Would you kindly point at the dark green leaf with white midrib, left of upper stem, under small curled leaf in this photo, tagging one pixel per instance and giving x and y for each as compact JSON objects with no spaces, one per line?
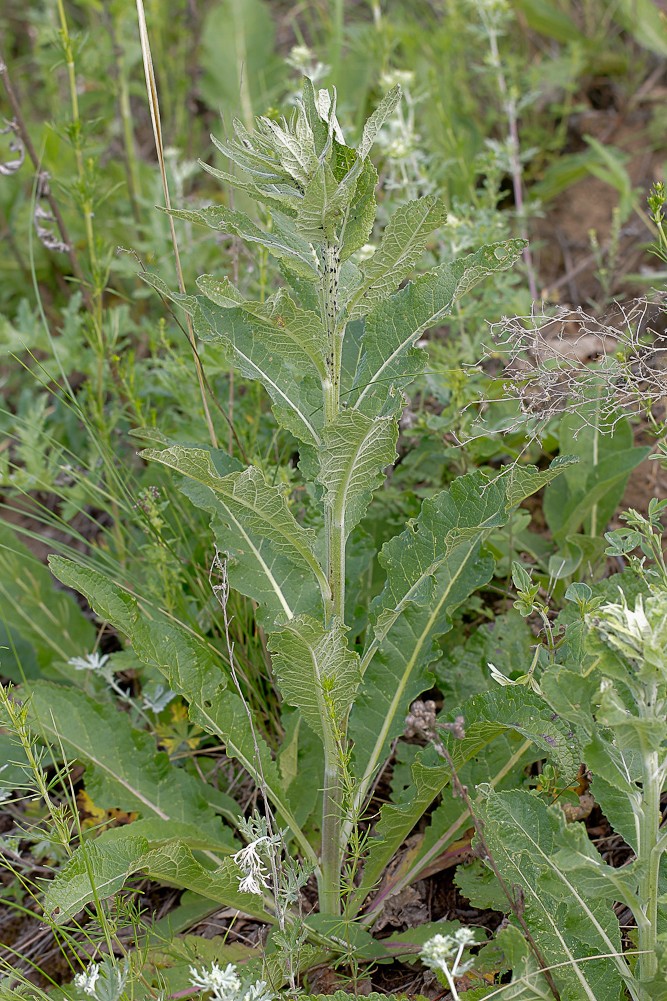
{"x":272,"y":363}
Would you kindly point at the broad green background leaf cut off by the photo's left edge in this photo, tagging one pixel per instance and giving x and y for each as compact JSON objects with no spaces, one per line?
{"x":49,"y":619}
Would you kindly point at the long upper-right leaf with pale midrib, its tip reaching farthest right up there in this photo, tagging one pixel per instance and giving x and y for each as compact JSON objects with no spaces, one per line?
{"x":394,"y":327}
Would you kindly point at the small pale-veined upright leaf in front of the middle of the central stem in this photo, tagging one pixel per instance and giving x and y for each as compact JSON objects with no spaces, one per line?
{"x":356,"y":452}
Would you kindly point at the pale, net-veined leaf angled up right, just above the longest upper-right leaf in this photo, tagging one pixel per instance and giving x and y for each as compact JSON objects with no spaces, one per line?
{"x":401,"y":248}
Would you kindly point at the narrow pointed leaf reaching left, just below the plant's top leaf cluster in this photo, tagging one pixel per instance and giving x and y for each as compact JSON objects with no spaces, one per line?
{"x":282,"y":243}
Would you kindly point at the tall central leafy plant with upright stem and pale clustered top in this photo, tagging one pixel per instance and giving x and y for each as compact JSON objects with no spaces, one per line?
{"x":335,"y":349}
